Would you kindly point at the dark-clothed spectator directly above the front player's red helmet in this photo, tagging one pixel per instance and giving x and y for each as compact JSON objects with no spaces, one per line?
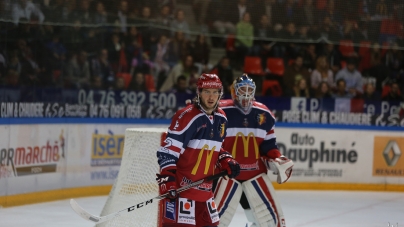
{"x":200,"y":51}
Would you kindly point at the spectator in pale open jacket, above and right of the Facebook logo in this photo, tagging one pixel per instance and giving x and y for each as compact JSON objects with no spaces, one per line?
{"x":322,"y":73}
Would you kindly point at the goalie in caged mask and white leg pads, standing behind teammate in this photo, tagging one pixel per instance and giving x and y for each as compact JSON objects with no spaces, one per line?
{"x":251,"y":141}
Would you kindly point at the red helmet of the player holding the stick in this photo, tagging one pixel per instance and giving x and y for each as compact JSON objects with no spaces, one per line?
{"x":208,"y":81}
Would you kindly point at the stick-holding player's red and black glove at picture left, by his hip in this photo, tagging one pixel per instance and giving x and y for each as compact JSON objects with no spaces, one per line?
{"x":167,"y":184}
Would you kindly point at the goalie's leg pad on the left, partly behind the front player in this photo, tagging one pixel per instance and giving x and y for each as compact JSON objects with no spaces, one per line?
{"x":227,"y":196}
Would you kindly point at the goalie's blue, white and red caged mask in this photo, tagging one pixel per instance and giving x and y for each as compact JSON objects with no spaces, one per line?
{"x":242,"y":92}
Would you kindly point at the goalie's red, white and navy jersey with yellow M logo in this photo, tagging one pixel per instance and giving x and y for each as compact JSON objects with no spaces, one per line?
{"x":250,"y":136}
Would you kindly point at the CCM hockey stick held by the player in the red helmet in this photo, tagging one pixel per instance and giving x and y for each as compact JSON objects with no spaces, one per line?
{"x":84,"y":214}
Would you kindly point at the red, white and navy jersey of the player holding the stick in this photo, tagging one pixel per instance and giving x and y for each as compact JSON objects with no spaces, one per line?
{"x":192,"y":146}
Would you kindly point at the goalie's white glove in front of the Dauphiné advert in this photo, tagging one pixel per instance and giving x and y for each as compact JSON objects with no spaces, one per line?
{"x":281,"y":166}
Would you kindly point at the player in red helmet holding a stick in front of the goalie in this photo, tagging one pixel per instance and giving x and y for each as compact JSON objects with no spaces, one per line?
{"x":191,"y":151}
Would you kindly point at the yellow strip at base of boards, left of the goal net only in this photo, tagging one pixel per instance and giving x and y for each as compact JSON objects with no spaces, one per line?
{"x":52,"y":195}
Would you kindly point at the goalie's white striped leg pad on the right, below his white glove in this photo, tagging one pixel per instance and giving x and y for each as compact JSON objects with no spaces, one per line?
{"x":263,"y":202}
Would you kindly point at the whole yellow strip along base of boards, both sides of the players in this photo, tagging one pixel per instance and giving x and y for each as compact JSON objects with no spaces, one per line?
{"x":52,"y":195}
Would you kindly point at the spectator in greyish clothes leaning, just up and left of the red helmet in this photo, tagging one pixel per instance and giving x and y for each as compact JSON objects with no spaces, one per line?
{"x":186,"y":68}
